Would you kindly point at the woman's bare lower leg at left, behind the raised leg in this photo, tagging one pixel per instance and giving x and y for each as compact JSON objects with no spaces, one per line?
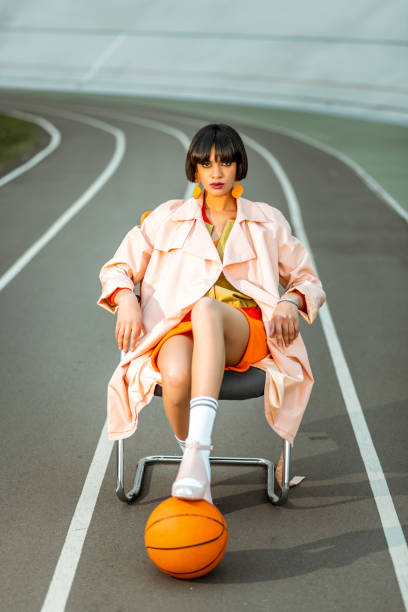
{"x":174,"y":362}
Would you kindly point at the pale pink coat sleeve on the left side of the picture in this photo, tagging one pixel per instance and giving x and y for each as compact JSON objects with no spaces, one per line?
{"x":128,"y":265}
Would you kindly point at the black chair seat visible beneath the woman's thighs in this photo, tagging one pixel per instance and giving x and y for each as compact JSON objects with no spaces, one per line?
{"x":238,"y":385}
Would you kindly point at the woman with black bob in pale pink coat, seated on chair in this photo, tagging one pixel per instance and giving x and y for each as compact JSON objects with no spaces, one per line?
{"x":195,"y":258}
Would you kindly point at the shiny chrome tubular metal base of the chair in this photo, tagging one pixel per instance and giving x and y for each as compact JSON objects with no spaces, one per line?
{"x":274,"y":493}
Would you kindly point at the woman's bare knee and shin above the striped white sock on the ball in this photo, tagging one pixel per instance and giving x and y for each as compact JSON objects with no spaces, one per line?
{"x":221,"y":335}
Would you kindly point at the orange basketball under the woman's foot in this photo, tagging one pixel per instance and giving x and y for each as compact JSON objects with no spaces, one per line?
{"x":186,"y":539}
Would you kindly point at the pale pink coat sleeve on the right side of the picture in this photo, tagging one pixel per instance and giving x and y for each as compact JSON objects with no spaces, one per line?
{"x":296,"y":271}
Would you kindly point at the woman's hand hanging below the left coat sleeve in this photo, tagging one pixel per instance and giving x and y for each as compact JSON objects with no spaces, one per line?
{"x":129,"y":320}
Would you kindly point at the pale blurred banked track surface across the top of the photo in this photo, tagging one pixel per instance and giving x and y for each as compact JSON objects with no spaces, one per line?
{"x":349,"y":57}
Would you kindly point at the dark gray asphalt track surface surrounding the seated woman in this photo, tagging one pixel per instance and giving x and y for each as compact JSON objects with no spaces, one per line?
{"x":325,"y":549}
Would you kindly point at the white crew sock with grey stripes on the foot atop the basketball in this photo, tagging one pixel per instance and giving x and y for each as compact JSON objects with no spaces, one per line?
{"x":203,"y":410}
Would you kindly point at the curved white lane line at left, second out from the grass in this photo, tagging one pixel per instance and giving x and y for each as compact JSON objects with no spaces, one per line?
{"x":120,"y":147}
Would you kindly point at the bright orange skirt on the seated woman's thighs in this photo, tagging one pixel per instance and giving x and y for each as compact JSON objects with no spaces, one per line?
{"x":256,"y":349}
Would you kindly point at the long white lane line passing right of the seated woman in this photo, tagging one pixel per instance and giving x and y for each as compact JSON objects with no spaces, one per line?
{"x":394,"y":535}
